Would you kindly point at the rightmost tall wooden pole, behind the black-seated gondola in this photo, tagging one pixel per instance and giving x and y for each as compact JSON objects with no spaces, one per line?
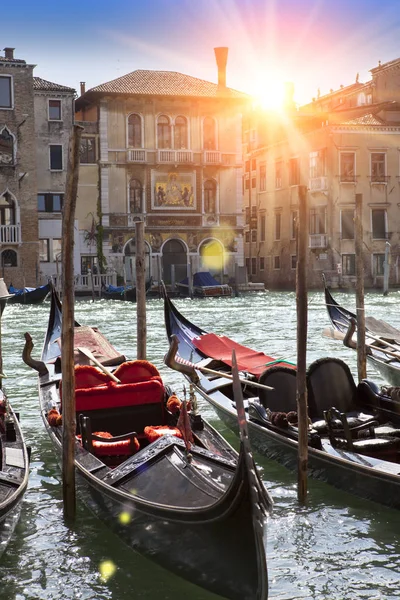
{"x":360,"y":313}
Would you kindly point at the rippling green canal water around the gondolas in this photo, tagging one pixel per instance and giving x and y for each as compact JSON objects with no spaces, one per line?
{"x":338,"y":547}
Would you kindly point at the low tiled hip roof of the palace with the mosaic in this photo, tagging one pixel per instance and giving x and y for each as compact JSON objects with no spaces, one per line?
{"x":164,"y":83}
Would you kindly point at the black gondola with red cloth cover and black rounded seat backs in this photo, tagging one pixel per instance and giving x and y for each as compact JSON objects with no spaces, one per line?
{"x":354,"y":430}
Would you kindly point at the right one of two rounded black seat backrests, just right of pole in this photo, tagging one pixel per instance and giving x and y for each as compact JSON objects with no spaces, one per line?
{"x":330,"y":384}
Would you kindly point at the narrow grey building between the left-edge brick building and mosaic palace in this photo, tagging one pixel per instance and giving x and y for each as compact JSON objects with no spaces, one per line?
{"x":54,"y":117}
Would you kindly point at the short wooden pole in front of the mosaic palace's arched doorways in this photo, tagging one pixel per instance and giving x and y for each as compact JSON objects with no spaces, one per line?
{"x":140,"y":291}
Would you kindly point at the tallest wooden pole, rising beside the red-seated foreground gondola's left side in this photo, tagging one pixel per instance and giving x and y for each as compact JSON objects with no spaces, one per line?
{"x":67,"y":330}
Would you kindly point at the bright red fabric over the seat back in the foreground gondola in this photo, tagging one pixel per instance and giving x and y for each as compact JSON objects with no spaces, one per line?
{"x":115,"y":395}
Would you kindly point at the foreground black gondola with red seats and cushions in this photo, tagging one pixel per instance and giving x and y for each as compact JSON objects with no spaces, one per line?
{"x":195,"y":506}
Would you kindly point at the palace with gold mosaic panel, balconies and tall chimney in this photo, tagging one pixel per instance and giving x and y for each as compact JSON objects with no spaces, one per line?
{"x":165,"y":148}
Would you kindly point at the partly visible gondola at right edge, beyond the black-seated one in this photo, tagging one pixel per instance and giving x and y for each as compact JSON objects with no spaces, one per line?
{"x":381,"y":339}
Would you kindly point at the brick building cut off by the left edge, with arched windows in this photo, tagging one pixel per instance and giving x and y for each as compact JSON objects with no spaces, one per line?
{"x":19,"y":247}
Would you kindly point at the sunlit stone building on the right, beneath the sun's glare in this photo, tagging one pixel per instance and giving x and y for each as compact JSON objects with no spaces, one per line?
{"x":342,"y":144}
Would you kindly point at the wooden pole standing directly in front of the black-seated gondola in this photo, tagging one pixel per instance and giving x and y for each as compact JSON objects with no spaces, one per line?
{"x":301,"y":383}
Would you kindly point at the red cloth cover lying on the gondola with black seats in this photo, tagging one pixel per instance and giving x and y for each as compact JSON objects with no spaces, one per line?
{"x":220,"y":348}
